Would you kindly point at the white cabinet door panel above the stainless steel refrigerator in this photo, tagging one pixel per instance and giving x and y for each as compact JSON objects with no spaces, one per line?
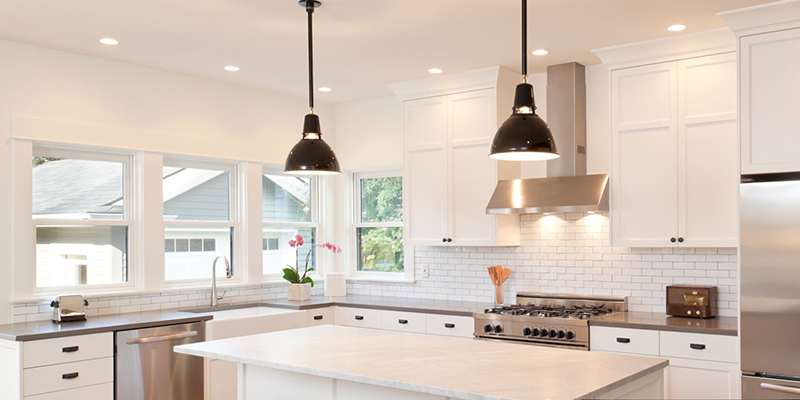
{"x":770,"y":129}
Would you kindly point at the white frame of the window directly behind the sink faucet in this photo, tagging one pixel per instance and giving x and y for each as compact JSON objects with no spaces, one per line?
{"x":234,"y":215}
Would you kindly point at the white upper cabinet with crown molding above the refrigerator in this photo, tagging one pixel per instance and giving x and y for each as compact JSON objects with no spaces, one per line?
{"x":769,"y":60}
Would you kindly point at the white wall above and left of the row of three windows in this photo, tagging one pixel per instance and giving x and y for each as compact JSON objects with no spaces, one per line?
{"x":154,"y":110}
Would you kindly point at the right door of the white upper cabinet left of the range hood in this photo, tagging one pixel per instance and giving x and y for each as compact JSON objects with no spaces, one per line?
{"x":473,"y":176}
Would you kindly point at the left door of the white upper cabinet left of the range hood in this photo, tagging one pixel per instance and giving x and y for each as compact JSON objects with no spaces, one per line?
{"x":425,"y":172}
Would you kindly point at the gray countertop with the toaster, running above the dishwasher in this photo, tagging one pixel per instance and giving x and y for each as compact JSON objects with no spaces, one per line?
{"x":109,"y":323}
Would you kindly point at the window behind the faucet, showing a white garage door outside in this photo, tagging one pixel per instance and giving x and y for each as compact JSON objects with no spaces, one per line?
{"x":199,"y":218}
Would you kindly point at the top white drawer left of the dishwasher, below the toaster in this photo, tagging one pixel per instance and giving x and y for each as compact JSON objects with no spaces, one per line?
{"x":67,"y":349}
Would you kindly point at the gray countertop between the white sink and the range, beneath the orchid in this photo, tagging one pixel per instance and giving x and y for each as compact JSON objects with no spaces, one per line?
{"x":384,"y":303}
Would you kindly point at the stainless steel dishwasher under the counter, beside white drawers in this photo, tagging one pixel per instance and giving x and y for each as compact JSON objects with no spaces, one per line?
{"x":146,"y":367}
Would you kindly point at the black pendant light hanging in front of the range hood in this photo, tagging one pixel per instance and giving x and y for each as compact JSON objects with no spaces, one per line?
{"x":524,"y":136}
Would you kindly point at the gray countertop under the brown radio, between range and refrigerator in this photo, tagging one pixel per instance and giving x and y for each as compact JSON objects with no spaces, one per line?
{"x":663,"y":322}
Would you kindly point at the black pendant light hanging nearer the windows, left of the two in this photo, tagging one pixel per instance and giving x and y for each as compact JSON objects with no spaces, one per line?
{"x":311,"y":155}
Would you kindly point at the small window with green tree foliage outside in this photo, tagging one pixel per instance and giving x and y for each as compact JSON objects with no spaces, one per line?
{"x":379,"y":222}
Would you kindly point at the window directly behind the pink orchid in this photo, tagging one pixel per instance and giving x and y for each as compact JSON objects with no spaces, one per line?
{"x":288,"y":207}
